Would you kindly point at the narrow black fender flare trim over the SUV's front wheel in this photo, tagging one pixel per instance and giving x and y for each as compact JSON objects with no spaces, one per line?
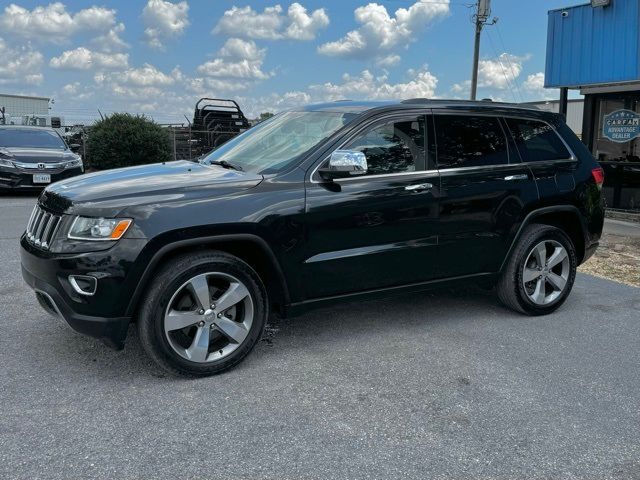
{"x":204,"y":241}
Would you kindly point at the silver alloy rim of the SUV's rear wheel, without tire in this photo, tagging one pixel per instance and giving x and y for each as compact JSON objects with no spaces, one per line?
{"x":546,"y":272}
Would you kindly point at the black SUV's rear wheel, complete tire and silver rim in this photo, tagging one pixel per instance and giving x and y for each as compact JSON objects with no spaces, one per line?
{"x":540,"y":272}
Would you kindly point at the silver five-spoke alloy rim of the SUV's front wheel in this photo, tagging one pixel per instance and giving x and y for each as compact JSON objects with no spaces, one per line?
{"x":208,"y":317}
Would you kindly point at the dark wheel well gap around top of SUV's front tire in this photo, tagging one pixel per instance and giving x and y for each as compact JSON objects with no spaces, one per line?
{"x":253,"y":252}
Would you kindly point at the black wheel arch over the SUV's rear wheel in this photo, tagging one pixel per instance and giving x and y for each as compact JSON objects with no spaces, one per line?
{"x":564,"y":217}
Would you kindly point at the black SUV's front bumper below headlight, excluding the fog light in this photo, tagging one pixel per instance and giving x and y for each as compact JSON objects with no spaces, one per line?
{"x":103,"y":315}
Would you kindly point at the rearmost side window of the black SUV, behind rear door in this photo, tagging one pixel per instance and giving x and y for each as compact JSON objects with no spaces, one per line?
{"x":536,"y":141}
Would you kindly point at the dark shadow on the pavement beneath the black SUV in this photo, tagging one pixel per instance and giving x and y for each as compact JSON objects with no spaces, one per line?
{"x":354,"y":323}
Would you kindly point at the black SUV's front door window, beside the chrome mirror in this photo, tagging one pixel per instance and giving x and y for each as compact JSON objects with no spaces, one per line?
{"x":394,"y":147}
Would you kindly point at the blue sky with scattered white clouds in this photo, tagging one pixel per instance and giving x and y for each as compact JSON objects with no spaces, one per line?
{"x":158,"y":57}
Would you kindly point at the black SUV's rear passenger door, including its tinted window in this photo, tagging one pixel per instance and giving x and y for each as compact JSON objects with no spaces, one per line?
{"x":484,"y":191}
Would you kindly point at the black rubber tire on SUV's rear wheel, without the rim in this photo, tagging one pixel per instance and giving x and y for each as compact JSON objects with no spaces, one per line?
{"x":510,"y":286}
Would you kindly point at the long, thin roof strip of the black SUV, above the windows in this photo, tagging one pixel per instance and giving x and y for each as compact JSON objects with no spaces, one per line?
{"x":350,"y":106}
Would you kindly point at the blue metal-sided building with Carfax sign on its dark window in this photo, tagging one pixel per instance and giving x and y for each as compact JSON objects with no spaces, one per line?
{"x":595,"y":48}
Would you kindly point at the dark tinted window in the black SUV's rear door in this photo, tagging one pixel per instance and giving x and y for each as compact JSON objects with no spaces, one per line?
{"x":468,"y":141}
